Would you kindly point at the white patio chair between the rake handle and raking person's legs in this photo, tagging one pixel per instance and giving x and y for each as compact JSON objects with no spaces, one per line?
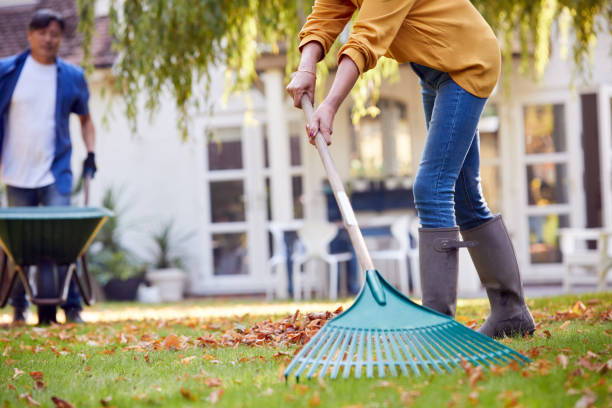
{"x":403,"y":253}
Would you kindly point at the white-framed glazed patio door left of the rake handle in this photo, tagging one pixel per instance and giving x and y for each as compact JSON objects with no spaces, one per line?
{"x":236,"y":245}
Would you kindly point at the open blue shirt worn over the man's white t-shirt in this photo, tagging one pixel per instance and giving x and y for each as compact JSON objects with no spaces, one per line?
{"x":72,"y":97}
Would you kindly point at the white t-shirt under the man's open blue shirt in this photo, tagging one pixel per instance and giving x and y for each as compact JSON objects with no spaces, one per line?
{"x":29,"y":142}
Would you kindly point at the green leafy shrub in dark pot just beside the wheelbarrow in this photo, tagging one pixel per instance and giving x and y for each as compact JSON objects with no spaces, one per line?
{"x":109,"y":258}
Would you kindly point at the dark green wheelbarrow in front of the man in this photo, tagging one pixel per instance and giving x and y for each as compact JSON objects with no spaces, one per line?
{"x":57,"y":236}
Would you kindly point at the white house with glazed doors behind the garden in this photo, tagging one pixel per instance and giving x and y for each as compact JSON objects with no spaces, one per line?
{"x":546,"y":162}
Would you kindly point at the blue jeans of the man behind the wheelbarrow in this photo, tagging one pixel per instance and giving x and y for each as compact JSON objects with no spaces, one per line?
{"x":33,"y":197}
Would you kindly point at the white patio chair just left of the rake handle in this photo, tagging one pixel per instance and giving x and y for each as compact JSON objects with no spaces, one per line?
{"x":314,"y":239}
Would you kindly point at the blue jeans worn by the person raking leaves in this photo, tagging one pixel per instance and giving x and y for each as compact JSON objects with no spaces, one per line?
{"x":447,"y":190}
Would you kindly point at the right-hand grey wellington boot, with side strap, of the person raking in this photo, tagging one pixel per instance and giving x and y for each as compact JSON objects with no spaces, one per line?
{"x":498,"y":270}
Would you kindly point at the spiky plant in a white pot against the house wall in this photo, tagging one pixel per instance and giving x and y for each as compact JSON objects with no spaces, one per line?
{"x":166,"y":271}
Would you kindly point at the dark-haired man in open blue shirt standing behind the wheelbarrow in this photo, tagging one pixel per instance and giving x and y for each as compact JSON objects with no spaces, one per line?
{"x":38,"y":92}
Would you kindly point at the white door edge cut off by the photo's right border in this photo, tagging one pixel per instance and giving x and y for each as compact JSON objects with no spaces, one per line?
{"x":605,"y":146}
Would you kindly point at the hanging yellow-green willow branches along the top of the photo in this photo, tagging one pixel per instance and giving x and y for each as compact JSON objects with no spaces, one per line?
{"x":168,"y":47}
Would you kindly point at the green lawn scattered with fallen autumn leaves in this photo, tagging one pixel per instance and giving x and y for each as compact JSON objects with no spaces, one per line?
{"x":196,"y":354}
